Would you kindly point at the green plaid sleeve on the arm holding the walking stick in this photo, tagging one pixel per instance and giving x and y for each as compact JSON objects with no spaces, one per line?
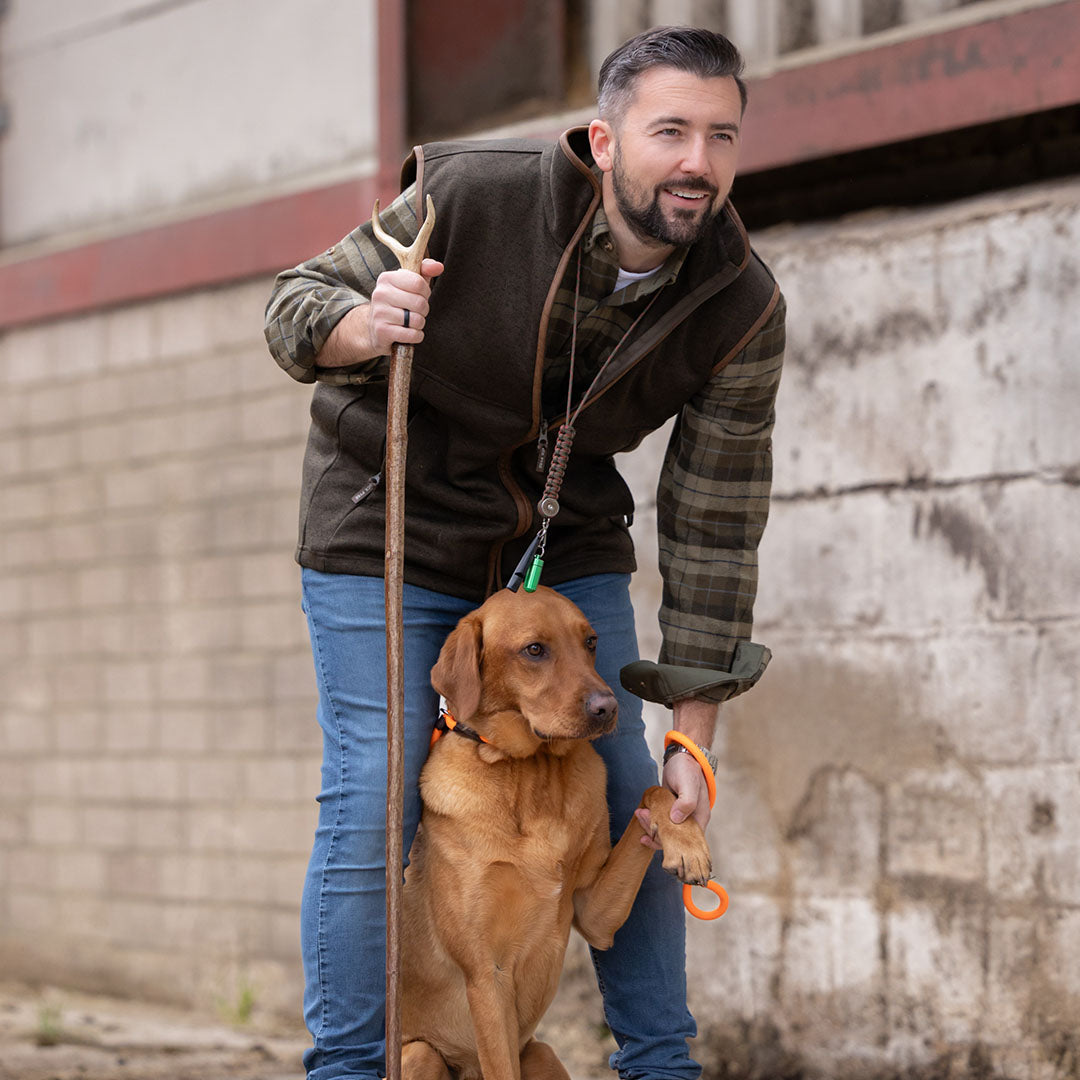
{"x":308,"y":302}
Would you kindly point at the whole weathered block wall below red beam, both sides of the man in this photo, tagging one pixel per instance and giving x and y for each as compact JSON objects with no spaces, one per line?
{"x":897,"y":798}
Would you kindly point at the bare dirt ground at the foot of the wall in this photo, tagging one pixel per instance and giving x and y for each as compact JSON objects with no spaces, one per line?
{"x":53,"y":1034}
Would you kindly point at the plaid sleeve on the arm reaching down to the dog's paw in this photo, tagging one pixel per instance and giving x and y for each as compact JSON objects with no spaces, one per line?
{"x":712,"y":506}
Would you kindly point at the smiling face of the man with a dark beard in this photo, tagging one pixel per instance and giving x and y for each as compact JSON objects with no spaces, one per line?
{"x":674,"y":155}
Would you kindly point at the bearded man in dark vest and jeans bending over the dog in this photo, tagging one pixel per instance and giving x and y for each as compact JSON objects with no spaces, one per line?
{"x":605,"y":277}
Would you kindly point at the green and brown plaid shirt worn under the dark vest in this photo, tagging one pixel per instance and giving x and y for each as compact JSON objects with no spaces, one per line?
{"x":713,"y":496}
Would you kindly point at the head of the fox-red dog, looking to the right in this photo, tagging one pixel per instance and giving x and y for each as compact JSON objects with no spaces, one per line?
{"x":522,"y":670}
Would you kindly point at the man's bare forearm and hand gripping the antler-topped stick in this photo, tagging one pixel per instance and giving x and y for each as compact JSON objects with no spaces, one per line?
{"x":370,"y":331}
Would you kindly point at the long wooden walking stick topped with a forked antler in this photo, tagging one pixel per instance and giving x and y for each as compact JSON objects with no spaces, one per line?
{"x":401,"y":370}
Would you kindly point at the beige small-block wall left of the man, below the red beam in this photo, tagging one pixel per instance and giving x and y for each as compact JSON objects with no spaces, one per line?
{"x":158,"y":753}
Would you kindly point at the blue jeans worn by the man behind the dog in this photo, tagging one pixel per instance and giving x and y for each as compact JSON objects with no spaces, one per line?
{"x":642,"y":977}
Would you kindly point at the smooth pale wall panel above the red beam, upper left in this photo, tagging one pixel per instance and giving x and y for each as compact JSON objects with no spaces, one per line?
{"x":153,"y":106}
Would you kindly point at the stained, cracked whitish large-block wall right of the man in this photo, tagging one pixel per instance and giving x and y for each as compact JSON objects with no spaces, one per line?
{"x":899,"y":796}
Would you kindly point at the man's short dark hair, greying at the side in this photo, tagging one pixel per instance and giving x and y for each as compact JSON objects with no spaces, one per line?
{"x":696,"y":51}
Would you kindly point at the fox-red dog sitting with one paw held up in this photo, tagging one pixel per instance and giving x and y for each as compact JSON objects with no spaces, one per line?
{"x":514,"y":846}
